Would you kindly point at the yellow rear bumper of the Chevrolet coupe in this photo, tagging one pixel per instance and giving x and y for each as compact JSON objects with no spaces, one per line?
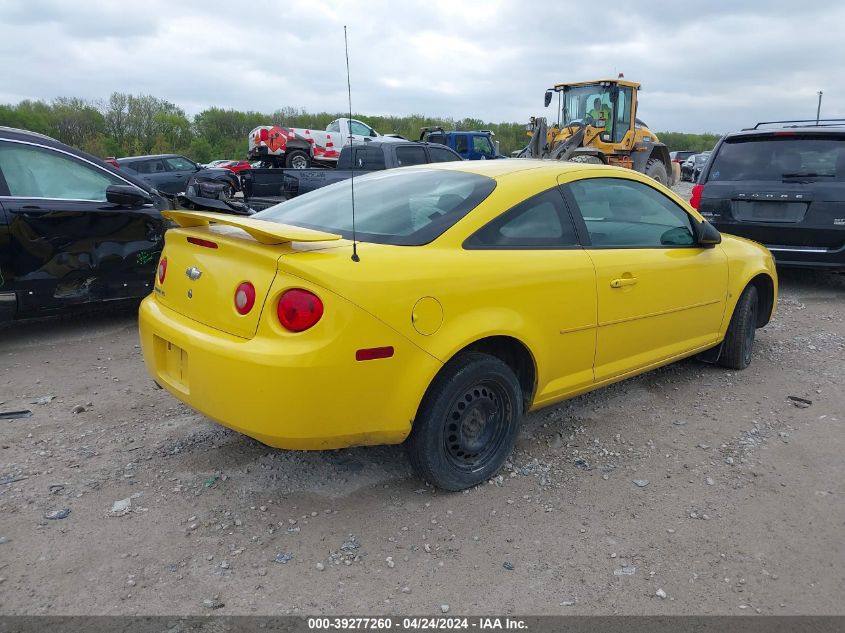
{"x":295,"y":393}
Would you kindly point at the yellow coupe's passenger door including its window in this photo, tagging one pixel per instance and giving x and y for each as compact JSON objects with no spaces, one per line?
{"x":660,"y":295}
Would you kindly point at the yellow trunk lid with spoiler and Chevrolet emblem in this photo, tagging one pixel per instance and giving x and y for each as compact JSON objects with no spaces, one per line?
{"x":210,"y":256}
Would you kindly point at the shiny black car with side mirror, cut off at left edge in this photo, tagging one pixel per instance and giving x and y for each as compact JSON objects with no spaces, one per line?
{"x":73,"y":229}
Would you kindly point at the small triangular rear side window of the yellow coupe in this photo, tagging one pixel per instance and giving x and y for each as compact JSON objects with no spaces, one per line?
{"x":541,"y":222}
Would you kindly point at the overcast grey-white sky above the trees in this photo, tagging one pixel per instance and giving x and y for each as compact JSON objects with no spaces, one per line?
{"x":704,"y":66}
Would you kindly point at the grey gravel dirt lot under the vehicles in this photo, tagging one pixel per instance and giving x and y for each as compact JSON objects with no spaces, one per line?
{"x":743,"y":511}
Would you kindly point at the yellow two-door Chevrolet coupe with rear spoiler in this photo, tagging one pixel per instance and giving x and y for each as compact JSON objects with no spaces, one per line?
{"x":479,"y":291}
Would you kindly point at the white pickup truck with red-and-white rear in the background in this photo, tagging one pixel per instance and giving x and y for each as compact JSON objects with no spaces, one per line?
{"x":298,"y":148}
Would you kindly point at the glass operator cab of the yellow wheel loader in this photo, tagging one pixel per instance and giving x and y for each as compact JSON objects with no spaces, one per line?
{"x":579,"y":104}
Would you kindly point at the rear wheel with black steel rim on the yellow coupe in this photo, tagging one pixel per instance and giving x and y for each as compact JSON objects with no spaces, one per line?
{"x":467,"y":423}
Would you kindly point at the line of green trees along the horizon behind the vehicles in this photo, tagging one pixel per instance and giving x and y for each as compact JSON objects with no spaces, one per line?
{"x":127,"y":125}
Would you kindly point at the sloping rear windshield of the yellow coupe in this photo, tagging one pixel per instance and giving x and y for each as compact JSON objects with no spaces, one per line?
{"x":407,"y":207}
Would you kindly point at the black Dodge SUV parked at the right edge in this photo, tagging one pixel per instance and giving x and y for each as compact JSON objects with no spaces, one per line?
{"x":782,"y":184}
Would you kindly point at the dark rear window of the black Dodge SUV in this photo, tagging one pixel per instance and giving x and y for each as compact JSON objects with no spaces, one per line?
{"x":780,"y":158}
